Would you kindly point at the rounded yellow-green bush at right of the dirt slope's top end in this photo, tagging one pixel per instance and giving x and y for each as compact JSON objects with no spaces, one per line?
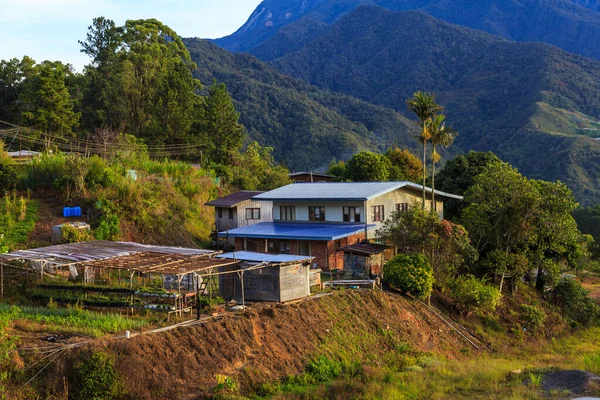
{"x":473,"y":295}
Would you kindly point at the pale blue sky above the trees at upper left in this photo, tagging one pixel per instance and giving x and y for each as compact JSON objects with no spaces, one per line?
{"x":50,"y":29}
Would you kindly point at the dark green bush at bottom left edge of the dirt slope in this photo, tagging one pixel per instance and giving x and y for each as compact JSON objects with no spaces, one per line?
{"x":97,"y":378}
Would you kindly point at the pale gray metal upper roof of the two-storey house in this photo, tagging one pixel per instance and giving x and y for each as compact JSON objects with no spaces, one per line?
{"x":336,"y":191}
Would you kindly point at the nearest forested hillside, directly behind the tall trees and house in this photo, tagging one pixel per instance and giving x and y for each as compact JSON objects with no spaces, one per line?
{"x":306,"y":126}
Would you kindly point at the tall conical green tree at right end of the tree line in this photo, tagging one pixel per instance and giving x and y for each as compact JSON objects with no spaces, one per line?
{"x":222,"y":132}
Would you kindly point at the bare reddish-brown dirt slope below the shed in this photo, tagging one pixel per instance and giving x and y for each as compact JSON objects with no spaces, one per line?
{"x":270,"y":342}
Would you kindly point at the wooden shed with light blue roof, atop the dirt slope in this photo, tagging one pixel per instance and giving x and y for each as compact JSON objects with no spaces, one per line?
{"x":266,"y":277}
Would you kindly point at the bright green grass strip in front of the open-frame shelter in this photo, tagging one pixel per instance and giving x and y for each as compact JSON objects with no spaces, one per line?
{"x":70,"y":320}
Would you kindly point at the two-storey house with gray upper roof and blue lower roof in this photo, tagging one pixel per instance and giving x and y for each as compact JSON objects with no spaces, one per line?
{"x":317,"y":219}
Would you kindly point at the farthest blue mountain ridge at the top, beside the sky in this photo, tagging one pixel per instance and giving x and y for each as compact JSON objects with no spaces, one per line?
{"x":573,"y":25}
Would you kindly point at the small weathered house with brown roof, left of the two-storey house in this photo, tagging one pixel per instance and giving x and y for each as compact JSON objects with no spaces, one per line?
{"x":239,"y":210}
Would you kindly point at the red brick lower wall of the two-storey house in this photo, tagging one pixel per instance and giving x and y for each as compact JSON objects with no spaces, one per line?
{"x":324,"y":252}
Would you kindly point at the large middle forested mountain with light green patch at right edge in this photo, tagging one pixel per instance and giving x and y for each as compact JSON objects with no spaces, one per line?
{"x":531,"y":103}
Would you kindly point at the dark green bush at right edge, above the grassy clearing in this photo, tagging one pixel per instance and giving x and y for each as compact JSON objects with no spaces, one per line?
{"x":573,"y":299}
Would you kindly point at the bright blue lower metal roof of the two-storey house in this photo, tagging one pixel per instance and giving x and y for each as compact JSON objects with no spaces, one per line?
{"x":297,"y":231}
